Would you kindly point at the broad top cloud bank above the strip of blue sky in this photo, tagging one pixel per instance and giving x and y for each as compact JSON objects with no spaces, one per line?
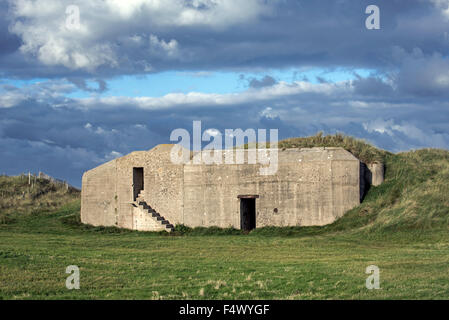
{"x":126,"y":38}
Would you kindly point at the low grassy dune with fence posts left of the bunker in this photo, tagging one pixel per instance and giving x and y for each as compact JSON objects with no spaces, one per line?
{"x":18,"y":197}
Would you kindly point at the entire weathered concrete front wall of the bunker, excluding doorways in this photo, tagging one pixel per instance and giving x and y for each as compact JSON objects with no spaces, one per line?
{"x":311,"y":187}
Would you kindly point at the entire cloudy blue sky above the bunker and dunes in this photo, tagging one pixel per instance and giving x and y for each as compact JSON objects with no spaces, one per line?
{"x":75,"y":93}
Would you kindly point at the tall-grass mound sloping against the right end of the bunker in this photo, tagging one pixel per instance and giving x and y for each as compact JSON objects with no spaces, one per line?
{"x":414,"y":198}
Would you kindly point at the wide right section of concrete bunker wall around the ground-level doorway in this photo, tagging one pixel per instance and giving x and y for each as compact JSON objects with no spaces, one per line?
{"x":312,"y":187}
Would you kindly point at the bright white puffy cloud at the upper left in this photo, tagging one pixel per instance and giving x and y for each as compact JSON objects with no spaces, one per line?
{"x":41,"y":25}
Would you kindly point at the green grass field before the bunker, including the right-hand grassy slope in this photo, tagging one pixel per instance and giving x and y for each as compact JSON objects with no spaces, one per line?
{"x":401,"y":227}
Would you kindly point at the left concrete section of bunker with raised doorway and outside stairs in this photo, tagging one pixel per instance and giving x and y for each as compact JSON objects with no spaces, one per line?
{"x":107,"y":192}
